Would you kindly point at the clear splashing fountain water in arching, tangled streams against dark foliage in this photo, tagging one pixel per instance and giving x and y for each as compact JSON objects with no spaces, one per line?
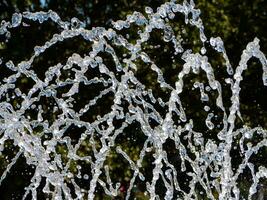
{"x":210,"y":165}
